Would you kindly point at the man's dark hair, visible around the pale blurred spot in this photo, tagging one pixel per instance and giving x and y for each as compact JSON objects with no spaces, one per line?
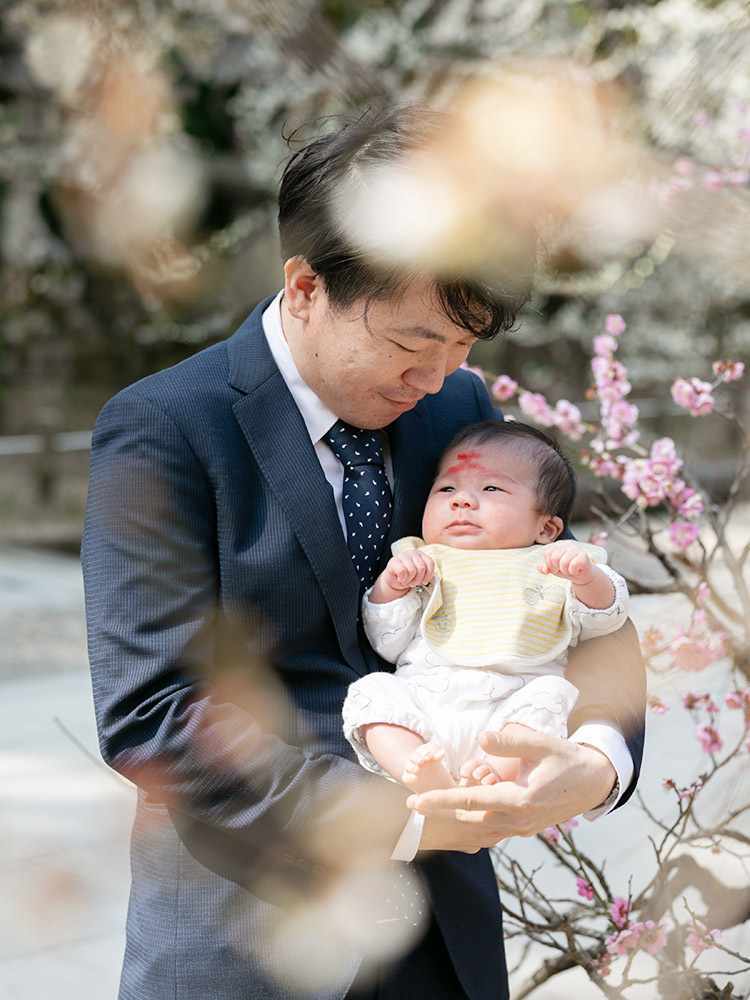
{"x":308,"y":229}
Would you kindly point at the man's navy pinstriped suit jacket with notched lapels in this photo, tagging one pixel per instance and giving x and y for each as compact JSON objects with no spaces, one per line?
{"x":207,"y":502}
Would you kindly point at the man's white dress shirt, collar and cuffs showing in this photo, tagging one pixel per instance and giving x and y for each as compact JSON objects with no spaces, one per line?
{"x":602,"y":735}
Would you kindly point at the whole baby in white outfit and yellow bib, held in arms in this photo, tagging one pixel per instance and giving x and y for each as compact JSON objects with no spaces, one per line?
{"x":479,"y":614}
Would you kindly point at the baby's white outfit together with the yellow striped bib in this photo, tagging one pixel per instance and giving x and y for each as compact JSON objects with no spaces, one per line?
{"x":486,"y":643}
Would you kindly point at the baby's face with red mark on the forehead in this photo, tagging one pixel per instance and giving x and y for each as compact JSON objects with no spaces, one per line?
{"x":484,"y":497}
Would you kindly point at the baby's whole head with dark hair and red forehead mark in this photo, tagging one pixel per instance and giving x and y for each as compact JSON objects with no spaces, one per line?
{"x":500,"y":485}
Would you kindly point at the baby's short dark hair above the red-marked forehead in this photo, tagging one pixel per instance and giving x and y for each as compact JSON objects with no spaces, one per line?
{"x":556,"y":482}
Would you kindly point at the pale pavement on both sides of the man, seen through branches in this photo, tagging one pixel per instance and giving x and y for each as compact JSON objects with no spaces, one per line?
{"x":65,"y":818}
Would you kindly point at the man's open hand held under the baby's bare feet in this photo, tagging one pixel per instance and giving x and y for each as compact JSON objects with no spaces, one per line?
{"x":558,"y":780}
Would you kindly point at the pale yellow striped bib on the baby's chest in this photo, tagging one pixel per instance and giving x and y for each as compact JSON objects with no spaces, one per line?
{"x":493,"y":606}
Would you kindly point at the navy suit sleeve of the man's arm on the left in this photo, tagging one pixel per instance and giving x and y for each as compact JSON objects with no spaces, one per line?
{"x":151,"y":581}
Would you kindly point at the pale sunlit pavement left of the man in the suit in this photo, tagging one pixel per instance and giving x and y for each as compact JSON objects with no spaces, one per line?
{"x":64,"y":817}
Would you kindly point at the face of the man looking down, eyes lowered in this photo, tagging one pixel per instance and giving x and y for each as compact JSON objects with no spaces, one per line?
{"x":370,"y":368}
